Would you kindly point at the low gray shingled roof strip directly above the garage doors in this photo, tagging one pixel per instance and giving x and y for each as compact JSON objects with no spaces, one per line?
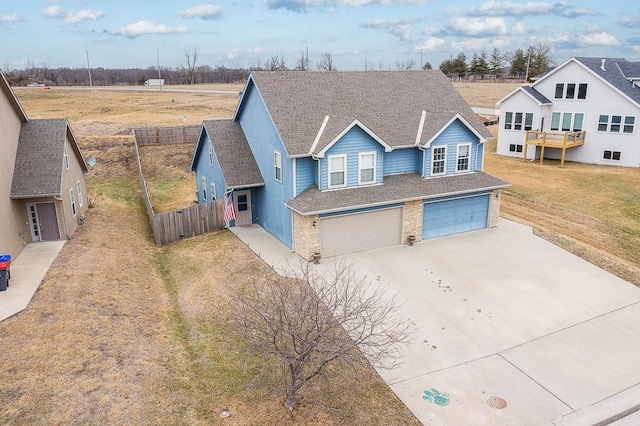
{"x":396,"y":188}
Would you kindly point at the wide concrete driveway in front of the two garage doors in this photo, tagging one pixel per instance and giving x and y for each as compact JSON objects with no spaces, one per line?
{"x":504,"y":316}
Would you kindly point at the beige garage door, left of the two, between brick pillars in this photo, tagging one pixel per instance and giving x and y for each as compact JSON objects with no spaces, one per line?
{"x":361,"y":231}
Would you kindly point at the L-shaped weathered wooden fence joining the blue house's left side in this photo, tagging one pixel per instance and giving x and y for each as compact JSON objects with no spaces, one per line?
{"x":182,"y":223}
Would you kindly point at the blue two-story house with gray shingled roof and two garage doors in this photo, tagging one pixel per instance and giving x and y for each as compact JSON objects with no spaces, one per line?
{"x":337,"y":162}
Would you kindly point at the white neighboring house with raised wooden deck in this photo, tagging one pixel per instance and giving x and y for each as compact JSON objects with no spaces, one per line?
{"x":600,"y":96}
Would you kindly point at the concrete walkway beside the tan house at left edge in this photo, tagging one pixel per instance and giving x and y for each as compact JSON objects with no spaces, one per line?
{"x":27,"y":272}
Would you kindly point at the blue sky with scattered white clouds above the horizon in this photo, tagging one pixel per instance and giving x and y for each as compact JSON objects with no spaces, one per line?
{"x":378,"y":33}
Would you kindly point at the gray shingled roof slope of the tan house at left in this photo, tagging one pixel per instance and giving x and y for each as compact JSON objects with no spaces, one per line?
{"x":39,"y":160}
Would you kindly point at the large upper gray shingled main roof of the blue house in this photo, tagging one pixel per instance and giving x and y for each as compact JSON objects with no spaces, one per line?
{"x":389,"y":103}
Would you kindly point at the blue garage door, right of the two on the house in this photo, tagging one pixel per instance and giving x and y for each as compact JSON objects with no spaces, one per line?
{"x":455,"y":216}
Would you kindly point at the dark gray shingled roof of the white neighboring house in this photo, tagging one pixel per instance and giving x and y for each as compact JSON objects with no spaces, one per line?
{"x":613,"y":73}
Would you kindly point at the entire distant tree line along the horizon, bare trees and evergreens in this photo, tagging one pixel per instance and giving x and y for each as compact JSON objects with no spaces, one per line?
{"x":519,"y":64}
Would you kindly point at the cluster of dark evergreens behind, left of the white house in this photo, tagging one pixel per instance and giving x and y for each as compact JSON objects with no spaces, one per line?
{"x":519,"y":64}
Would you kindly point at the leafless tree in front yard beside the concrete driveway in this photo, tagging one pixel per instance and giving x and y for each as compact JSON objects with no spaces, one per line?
{"x":312,"y":320}
